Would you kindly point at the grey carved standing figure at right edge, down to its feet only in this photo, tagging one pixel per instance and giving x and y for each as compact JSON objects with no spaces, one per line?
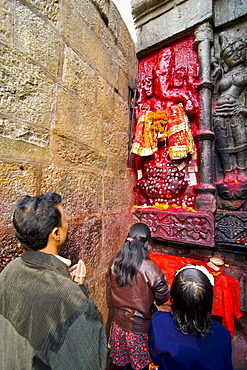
{"x":230,"y":113}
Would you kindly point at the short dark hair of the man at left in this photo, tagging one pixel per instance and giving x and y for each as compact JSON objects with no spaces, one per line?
{"x":34,"y":218}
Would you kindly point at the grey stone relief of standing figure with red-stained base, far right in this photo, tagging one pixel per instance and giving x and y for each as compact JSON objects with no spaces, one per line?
{"x":229,"y":73}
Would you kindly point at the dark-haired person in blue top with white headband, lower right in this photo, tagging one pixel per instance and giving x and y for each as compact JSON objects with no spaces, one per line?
{"x":187,"y":338}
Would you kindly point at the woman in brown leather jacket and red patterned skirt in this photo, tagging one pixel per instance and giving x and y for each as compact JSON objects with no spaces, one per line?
{"x":135,"y":282}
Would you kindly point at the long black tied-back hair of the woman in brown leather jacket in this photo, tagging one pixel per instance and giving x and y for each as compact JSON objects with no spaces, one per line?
{"x":135,"y":249}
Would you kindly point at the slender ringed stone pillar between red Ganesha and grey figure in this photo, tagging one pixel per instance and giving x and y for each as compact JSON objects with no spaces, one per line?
{"x":205,"y":200}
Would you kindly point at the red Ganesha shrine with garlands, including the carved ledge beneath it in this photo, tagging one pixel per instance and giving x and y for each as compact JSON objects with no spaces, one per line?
{"x":164,"y":145}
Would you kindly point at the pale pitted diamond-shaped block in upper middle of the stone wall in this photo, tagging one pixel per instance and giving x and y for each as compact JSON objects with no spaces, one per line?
{"x":79,"y":76}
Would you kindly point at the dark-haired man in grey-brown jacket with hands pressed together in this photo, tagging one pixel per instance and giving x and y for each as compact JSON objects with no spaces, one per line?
{"x":47,"y":320}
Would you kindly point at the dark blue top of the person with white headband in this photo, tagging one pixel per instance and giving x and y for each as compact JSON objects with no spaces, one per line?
{"x":172,"y":350}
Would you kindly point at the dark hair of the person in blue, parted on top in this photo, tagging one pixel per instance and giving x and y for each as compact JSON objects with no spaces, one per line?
{"x":192,"y":299}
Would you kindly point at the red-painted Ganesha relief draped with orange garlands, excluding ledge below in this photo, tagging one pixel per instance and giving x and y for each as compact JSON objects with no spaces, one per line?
{"x":166,"y":121}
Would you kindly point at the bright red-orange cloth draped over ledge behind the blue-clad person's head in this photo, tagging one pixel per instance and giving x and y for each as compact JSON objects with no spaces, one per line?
{"x":226,"y":302}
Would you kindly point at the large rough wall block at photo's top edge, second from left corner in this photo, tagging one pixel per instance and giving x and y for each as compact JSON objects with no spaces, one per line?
{"x":30,"y":33}
